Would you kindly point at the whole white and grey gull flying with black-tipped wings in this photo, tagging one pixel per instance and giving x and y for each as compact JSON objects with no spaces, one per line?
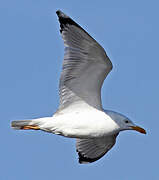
{"x":80,"y":114}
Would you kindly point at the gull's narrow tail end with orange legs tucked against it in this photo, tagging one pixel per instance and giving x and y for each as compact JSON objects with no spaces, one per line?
{"x":24,"y":125}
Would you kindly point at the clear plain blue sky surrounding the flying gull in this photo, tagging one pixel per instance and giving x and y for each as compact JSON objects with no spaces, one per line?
{"x":31,"y":53}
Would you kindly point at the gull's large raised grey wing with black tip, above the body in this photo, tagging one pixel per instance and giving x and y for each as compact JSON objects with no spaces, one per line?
{"x":85,"y":65}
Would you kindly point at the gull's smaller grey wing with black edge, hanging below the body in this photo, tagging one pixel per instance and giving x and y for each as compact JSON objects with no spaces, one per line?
{"x":90,"y":150}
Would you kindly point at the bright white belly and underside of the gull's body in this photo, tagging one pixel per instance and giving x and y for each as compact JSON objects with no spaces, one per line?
{"x":83,"y":124}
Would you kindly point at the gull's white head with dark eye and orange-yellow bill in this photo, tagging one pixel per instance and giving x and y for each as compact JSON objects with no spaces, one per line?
{"x":123,"y":122}
